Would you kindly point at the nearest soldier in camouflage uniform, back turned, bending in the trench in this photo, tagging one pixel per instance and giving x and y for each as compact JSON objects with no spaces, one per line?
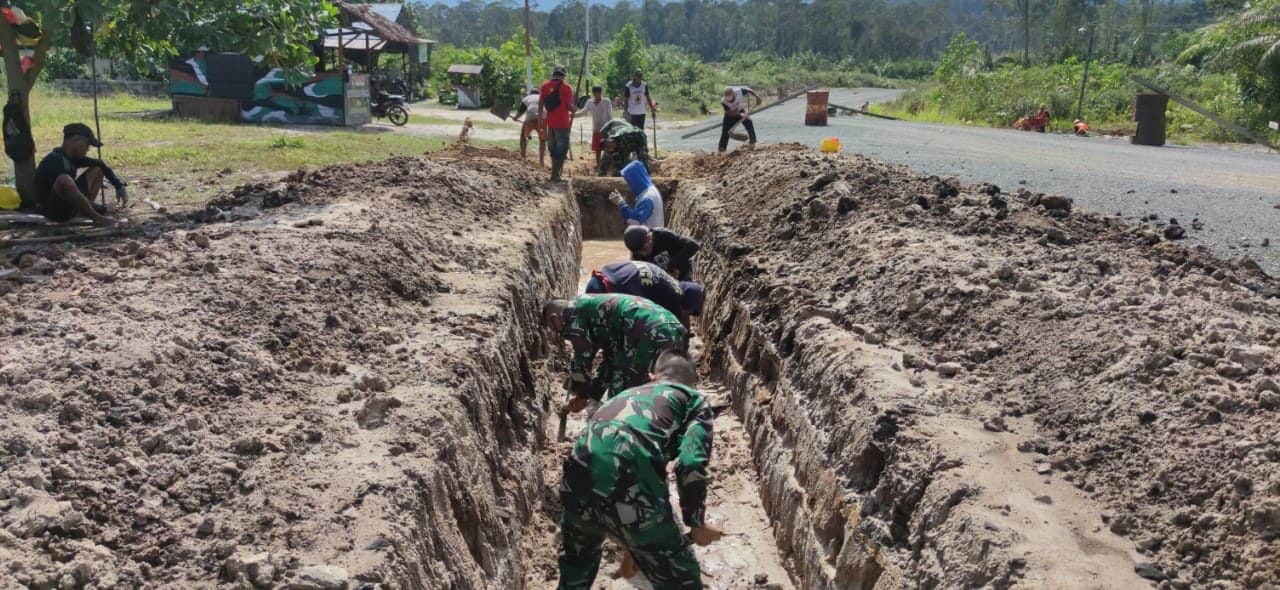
{"x":616,"y":482}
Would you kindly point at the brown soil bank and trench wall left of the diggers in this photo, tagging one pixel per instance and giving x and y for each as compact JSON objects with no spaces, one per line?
{"x":332,"y":391}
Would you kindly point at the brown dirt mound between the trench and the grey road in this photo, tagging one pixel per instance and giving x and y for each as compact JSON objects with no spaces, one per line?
{"x":939,"y":318}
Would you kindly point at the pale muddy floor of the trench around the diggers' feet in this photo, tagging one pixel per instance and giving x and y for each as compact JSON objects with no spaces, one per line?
{"x":748,"y":556}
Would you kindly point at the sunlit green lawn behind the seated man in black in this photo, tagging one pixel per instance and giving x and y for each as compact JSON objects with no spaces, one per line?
{"x":188,"y":161}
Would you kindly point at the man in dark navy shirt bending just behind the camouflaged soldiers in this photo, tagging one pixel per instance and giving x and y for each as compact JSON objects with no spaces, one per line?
{"x":648,"y":281}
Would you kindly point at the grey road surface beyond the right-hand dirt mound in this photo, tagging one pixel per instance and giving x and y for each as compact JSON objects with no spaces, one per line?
{"x":1235,"y":193}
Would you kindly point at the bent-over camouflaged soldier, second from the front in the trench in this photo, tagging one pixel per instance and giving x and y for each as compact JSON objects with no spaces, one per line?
{"x":630,"y":332}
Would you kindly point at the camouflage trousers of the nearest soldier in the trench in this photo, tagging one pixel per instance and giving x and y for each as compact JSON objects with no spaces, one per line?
{"x":638,"y":516}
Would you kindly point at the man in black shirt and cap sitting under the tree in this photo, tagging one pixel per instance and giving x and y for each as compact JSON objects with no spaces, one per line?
{"x":62,"y":191}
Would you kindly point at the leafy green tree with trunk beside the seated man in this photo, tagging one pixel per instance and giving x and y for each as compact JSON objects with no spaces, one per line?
{"x":277,"y":30}
